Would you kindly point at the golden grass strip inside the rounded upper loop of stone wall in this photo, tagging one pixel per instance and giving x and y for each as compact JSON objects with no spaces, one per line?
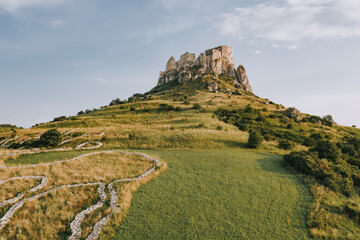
{"x":104,"y":167}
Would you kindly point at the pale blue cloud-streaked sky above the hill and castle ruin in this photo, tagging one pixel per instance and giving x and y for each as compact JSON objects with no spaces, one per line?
{"x":58,"y":57}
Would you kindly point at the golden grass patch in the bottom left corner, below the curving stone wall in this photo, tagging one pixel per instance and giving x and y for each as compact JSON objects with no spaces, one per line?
{"x":50,"y":217}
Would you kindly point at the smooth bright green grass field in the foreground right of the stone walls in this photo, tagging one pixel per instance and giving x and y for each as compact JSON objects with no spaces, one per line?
{"x":217,"y":194}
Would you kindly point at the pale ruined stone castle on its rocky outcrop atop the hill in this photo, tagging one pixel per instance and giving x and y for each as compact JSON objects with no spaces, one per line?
{"x":217,"y":60}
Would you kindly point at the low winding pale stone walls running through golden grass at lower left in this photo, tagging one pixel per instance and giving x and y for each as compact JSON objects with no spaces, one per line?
{"x":76,"y":223}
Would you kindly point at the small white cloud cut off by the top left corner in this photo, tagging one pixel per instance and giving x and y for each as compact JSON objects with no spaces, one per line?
{"x":12,"y":6}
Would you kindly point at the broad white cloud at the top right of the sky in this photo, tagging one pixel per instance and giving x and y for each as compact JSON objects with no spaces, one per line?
{"x":294,"y":21}
